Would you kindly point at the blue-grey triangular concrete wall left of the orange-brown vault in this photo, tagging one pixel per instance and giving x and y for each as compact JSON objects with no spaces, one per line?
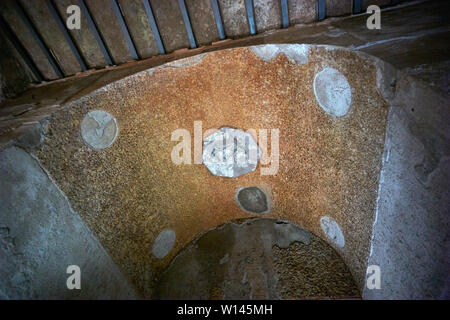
{"x":40,"y":236}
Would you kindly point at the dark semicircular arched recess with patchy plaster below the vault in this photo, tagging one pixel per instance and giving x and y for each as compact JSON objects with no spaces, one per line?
{"x":257,"y":259}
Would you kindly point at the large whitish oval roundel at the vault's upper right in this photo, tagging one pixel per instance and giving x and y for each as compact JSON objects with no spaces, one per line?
{"x":332,"y":91}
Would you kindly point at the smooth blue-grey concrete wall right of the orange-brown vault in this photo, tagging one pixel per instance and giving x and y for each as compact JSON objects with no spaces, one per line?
{"x":411,"y":234}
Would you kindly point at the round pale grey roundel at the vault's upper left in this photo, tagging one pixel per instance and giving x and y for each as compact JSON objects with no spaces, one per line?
{"x":99,"y":129}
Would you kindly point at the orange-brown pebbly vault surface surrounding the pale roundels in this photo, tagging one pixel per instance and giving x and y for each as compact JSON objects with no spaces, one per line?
{"x":328,"y":166}
